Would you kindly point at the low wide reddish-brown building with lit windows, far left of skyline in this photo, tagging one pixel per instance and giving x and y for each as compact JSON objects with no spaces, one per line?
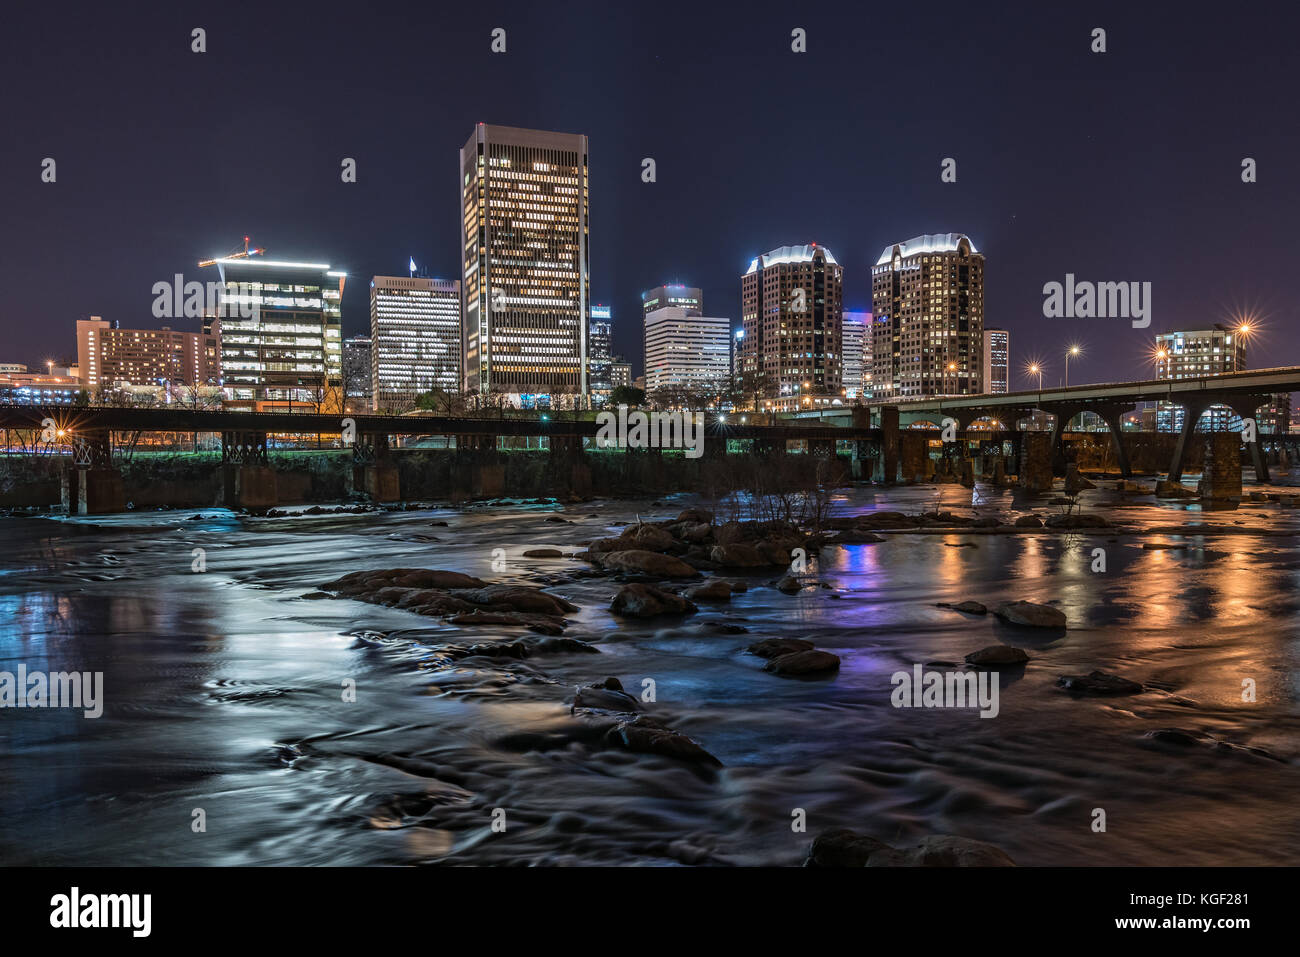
{"x":109,"y":357}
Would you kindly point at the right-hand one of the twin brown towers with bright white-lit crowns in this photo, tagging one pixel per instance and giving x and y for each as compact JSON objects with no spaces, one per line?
{"x":928,"y":337}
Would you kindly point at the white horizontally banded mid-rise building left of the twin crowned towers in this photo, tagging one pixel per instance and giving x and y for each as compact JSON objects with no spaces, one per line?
{"x":687,"y":352}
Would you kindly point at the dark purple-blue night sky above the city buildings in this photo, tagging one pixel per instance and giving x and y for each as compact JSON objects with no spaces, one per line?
{"x":1116,"y":167}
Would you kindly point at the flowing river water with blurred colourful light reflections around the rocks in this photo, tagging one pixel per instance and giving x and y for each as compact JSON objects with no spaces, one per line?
{"x":224,"y":692}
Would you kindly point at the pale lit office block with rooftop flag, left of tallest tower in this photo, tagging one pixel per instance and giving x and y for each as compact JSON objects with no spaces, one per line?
{"x":415,"y":339}
